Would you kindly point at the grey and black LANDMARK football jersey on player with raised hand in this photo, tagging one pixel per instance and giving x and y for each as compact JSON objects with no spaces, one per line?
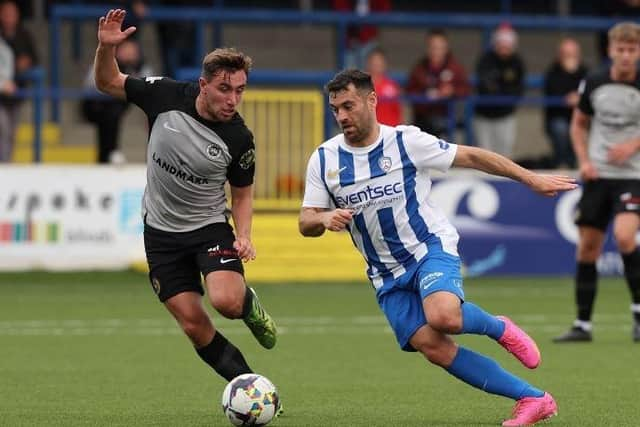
{"x":189,"y":158}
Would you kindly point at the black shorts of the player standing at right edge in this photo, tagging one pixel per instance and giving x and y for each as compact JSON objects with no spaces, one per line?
{"x":603,"y":198}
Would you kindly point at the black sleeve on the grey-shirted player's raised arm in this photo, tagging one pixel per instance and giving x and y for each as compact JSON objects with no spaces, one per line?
{"x":153,"y":95}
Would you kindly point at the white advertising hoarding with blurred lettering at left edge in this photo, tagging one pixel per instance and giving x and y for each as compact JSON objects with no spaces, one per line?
{"x":70,"y":217}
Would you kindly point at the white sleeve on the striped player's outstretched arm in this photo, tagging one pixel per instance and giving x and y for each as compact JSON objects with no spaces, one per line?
{"x":427,"y":151}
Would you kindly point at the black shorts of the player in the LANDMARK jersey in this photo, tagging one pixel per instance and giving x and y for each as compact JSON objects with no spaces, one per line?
{"x":177,"y":260}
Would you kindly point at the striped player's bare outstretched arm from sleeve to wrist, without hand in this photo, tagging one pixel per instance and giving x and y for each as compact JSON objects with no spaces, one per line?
{"x":489,"y":162}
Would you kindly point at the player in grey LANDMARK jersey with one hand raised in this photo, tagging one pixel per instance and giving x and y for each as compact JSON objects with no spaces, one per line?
{"x":197,"y":142}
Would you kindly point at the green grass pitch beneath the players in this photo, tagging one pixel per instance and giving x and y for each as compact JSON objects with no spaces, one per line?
{"x":97,"y":349}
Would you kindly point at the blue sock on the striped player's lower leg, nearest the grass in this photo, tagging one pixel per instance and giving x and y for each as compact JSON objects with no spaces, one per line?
{"x":484,"y":373}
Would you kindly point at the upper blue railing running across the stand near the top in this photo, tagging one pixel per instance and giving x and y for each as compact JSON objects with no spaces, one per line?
{"x":339,"y":20}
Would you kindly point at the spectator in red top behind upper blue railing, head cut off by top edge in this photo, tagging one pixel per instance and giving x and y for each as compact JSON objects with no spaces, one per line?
{"x":361,"y":39}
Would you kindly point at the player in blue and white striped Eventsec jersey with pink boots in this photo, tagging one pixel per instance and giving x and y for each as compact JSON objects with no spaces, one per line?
{"x":373,"y":181}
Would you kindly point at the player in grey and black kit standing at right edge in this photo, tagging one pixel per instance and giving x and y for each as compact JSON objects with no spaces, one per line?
{"x":605,"y":131}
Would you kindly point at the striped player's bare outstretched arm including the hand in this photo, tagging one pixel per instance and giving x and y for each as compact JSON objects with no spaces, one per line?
{"x":496,"y":164}
